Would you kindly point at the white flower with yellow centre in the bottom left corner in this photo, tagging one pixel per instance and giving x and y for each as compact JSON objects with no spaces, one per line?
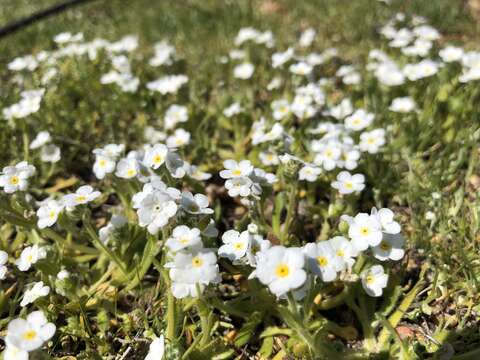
{"x":30,"y":334}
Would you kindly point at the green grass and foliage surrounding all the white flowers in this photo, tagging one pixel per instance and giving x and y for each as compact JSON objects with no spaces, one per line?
{"x":436,"y":152}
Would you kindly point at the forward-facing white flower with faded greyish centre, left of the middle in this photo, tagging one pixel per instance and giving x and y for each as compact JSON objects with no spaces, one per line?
{"x":155,"y":210}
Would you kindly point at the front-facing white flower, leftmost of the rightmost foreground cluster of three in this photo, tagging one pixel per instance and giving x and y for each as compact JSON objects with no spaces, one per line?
{"x":365,"y":230}
